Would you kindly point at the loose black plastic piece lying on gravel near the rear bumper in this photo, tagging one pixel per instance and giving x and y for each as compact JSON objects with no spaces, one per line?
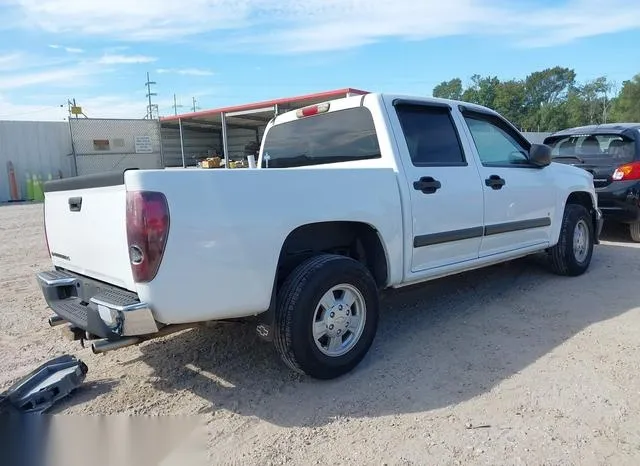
{"x":39,"y":390}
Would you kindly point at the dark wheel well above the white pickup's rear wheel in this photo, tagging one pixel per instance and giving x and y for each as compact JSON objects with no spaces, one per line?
{"x":352,"y":239}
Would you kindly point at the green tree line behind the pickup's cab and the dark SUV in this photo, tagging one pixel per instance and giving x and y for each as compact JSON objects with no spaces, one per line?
{"x":551,"y":99}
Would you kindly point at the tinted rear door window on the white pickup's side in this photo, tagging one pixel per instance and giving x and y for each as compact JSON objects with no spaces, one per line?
{"x":431,"y":135}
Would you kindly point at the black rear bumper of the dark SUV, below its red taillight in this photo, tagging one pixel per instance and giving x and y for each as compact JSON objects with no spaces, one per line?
{"x":620,"y":202}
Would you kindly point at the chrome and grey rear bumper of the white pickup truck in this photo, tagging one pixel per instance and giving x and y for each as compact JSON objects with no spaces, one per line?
{"x":95,"y":307}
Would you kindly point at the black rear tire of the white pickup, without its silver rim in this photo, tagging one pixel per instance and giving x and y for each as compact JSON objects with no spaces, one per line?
{"x":298,"y":298}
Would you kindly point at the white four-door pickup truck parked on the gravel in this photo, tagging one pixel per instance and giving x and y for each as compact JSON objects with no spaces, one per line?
{"x":350,"y":197}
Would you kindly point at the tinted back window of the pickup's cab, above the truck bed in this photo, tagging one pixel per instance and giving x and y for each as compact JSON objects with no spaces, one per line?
{"x":340,"y":136}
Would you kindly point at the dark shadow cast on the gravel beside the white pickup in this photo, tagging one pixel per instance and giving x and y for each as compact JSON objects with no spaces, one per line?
{"x":438,"y":344}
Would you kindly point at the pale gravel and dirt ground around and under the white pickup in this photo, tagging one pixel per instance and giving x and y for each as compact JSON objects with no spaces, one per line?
{"x":545,"y":370}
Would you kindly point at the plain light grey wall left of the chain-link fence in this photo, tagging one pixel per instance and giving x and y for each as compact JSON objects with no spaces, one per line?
{"x":34,"y":147}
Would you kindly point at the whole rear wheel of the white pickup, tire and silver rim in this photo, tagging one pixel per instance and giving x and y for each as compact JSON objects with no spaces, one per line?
{"x":327,"y":316}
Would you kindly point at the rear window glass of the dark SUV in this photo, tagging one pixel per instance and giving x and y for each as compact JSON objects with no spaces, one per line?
{"x":590,"y":146}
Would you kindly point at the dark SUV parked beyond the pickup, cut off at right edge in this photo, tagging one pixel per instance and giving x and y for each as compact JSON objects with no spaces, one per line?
{"x":611,"y":152}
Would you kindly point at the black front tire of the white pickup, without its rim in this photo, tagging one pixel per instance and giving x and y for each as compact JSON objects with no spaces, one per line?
{"x":562,"y":255}
